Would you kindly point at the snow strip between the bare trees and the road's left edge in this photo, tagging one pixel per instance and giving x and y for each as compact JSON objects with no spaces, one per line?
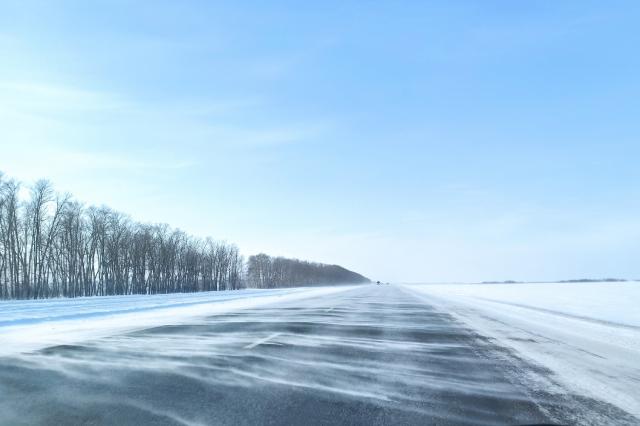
{"x":35,"y":324}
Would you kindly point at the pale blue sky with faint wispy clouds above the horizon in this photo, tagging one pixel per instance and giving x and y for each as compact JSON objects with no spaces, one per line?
{"x":410,"y":140}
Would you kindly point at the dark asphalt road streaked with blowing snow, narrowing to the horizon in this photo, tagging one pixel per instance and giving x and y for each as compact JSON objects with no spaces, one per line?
{"x":373,"y":355}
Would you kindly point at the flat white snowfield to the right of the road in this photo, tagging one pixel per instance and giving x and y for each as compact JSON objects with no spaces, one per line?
{"x":586,"y":334}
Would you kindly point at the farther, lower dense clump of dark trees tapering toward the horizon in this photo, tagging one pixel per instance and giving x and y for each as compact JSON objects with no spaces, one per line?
{"x":272,"y":272}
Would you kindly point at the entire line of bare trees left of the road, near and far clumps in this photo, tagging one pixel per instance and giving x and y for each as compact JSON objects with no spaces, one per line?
{"x":53,"y":246}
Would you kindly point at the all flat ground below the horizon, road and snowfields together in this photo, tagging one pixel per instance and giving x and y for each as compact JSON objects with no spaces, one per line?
{"x":369,"y":355}
